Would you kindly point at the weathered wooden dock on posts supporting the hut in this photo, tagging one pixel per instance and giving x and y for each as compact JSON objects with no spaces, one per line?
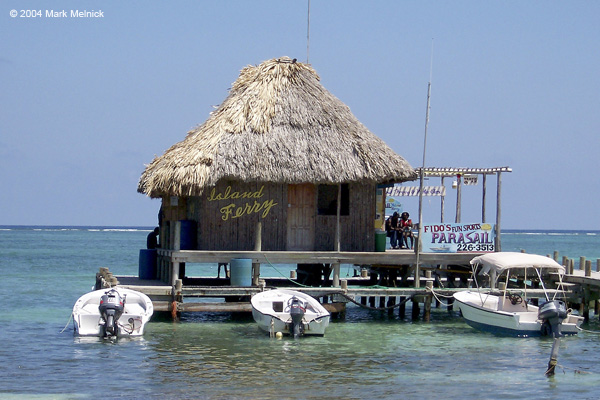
{"x":207,"y":294}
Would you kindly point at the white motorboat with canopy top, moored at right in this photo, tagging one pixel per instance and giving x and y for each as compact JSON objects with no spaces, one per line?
{"x":509,"y":313}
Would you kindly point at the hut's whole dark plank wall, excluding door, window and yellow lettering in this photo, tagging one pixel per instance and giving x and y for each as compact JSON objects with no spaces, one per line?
{"x":218,"y":231}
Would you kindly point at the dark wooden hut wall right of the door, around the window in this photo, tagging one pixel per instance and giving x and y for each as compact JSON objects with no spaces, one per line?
{"x":356,"y":229}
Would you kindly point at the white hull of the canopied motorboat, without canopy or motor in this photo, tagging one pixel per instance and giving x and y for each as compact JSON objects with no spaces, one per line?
{"x":481,"y":311}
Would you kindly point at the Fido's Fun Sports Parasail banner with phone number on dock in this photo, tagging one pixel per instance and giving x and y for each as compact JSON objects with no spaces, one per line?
{"x":458,"y":238}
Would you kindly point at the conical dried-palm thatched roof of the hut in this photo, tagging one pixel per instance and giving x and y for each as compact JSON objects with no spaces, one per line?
{"x":278,"y":124}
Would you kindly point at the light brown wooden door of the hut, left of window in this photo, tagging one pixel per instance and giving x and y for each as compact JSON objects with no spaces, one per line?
{"x":301,"y":217}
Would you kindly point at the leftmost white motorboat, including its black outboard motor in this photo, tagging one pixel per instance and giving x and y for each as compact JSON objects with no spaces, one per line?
{"x":114,"y":312}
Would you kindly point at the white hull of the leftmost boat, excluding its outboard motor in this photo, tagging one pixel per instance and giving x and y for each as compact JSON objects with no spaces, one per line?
{"x":137,"y":311}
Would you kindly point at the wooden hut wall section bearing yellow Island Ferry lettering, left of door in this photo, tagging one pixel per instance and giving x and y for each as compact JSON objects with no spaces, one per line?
{"x":227,"y":216}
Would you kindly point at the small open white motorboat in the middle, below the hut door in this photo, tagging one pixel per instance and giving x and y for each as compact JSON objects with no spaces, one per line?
{"x":289,"y":312}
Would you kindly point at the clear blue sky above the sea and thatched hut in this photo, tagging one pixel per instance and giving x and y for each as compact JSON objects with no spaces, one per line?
{"x":86,"y":103}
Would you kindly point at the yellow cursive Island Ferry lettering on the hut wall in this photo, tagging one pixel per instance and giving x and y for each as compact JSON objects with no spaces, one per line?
{"x":253,"y":203}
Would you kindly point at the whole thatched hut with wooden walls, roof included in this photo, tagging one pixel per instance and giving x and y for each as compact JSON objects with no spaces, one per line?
{"x":280,"y":150}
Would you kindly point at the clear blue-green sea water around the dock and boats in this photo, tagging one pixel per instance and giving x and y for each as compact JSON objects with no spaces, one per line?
{"x":369,"y":355}
